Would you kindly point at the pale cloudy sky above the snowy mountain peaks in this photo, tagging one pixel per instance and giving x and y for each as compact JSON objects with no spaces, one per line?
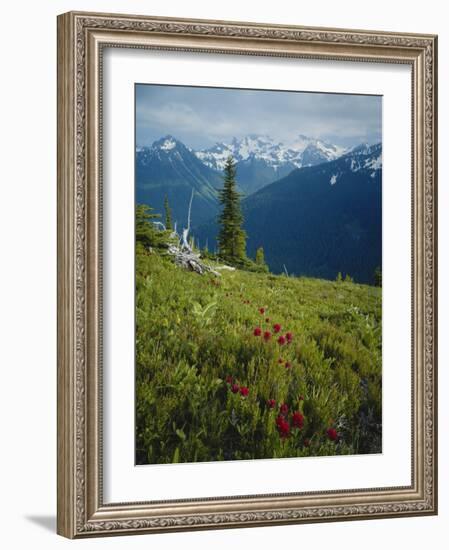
{"x":200,"y":117}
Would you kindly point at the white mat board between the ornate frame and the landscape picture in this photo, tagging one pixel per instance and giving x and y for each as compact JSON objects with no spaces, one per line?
{"x":122,"y":481}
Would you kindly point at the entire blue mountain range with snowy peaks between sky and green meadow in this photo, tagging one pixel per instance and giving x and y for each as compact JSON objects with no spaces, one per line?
{"x":314,"y":207}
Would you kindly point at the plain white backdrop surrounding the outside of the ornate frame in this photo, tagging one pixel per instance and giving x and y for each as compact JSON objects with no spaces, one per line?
{"x":28,"y":273}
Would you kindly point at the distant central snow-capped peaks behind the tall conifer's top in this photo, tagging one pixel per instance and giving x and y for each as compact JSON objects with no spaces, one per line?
{"x":261,"y":160}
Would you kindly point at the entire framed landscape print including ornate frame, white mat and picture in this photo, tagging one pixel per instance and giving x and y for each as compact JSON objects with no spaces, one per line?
{"x":246,"y":274}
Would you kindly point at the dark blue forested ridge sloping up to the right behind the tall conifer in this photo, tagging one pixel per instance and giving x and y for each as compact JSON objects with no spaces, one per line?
{"x":318,"y":220}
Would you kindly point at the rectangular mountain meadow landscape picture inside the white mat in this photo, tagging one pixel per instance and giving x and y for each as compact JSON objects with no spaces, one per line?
{"x":258,"y":274}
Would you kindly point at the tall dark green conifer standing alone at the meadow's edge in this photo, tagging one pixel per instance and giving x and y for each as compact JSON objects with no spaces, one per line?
{"x":231,"y":238}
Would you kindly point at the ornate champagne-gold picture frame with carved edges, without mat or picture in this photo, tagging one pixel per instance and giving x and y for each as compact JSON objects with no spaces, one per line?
{"x":82,"y":38}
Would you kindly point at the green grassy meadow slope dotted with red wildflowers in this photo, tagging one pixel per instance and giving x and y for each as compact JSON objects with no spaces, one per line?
{"x":192,"y":331}
